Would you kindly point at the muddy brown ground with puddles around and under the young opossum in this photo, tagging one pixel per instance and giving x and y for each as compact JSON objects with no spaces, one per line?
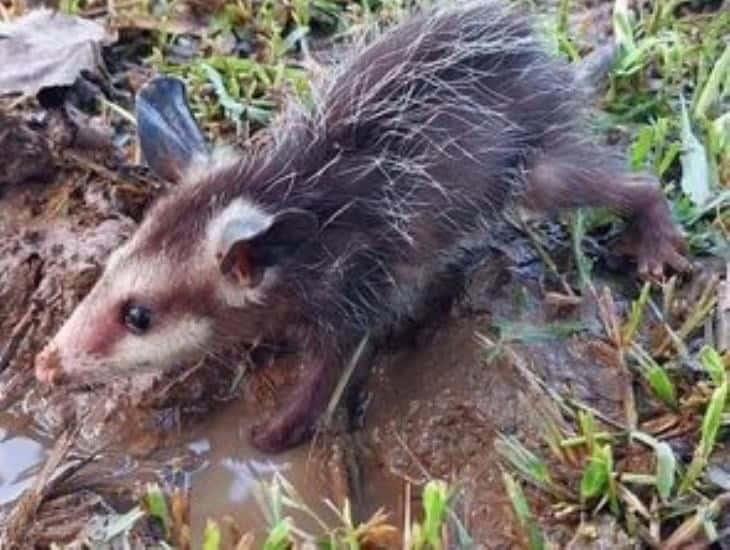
{"x":432,"y":411}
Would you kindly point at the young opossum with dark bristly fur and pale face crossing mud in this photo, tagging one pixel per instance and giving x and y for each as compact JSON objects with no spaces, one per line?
{"x":357,"y":213}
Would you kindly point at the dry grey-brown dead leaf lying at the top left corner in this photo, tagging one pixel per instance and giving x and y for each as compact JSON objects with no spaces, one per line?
{"x":45,"y":48}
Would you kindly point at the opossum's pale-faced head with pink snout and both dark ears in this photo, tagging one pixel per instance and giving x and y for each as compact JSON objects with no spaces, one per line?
{"x":194,"y":275}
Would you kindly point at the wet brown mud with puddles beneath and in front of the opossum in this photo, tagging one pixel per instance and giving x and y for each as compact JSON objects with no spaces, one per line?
{"x":431,"y":410}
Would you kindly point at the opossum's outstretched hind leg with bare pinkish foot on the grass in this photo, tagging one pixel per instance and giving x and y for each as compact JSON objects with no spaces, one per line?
{"x":575,"y":176}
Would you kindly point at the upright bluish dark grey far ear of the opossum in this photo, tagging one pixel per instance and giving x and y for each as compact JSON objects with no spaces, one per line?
{"x":168,"y":134}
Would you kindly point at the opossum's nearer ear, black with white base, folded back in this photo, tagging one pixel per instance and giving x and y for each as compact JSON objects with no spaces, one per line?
{"x":246,"y":257}
